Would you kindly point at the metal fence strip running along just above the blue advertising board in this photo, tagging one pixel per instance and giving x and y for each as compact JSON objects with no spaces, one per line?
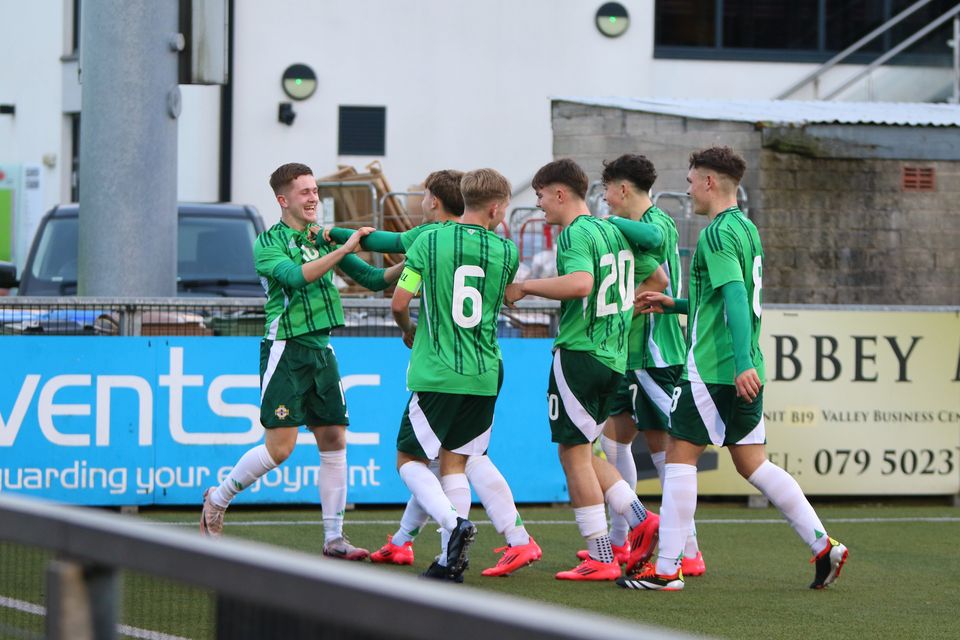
{"x":220,"y":317}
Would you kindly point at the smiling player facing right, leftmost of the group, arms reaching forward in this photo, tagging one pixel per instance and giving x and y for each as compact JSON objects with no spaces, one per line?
{"x":299,"y":379}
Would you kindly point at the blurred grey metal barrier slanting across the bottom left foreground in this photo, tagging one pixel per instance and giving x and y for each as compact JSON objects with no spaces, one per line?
{"x":272,"y":586}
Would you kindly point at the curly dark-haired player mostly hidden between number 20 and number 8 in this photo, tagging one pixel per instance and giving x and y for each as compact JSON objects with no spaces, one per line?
{"x":656,"y":346}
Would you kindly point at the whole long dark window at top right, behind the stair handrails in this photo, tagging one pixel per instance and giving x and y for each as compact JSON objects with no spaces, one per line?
{"x":795,"y":30}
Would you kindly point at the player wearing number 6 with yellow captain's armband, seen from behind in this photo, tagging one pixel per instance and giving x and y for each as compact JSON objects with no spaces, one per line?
{"x":455,"y":369}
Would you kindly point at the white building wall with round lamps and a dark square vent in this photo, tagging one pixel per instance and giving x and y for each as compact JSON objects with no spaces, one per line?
{"x":466,"y":84}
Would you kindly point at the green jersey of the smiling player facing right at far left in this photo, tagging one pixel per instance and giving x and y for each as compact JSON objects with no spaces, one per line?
{"x":292,"y":312}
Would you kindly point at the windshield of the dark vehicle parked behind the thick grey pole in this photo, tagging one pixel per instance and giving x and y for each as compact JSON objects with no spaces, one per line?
{"x":209,"y":249}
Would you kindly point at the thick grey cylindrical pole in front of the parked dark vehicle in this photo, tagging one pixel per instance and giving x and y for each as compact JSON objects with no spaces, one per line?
{"x":128,"y":147}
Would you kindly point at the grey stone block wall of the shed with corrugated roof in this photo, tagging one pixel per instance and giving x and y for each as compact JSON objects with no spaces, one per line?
{"x":835,"y":230}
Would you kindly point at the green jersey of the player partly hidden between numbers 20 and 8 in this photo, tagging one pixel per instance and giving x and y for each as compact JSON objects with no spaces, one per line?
{"x":656,"y":341}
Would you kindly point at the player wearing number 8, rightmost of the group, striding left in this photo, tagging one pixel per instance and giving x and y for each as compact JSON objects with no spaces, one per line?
{"x":719,"y":399}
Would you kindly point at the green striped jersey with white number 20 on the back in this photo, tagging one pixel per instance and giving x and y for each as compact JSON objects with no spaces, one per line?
{"x":600,"y":322}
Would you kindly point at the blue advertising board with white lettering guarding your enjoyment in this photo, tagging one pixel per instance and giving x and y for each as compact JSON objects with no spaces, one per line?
{"x":154,"y":421}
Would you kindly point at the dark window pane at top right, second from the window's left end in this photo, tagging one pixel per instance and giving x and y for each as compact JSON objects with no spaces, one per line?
{"x":770,"y":24}
